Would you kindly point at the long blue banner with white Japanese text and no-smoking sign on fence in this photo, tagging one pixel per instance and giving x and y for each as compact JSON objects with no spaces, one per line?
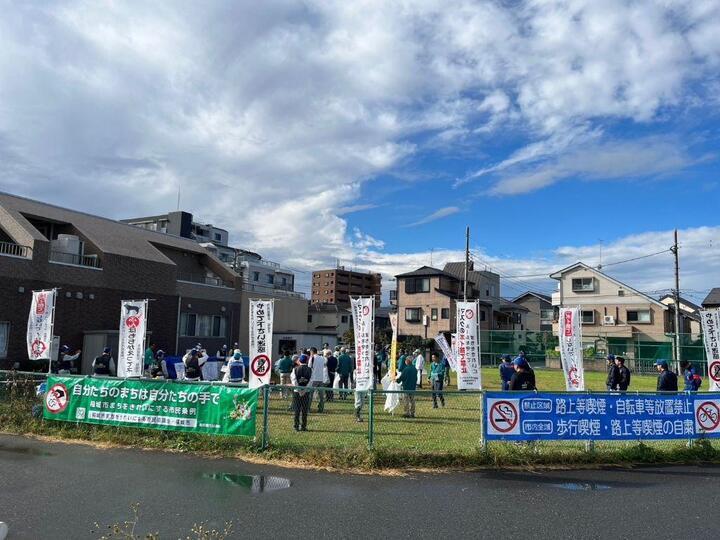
{"x":524,"y":416}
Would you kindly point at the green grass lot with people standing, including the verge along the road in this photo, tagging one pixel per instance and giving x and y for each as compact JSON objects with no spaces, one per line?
{"x":449,"y":436}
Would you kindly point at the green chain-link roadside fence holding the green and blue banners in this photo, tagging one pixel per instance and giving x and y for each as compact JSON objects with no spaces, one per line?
{"x":421,"y":423}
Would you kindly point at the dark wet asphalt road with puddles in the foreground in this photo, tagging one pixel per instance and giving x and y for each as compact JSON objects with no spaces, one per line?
{"x":56,"y":490}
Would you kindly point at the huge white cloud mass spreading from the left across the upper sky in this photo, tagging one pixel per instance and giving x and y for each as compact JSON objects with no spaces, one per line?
{"x":271,"y":117}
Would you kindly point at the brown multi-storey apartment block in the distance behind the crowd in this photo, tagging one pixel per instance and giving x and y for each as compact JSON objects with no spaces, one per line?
{"x":337,"y":285}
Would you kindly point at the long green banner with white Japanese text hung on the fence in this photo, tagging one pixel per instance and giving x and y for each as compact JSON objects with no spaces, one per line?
{"x":168,"y":405}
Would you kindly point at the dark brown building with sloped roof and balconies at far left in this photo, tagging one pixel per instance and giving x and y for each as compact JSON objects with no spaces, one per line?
{"x":95,"y":263}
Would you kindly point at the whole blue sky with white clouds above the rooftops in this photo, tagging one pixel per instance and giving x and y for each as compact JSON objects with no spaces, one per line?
{"x":374,"y":132}
